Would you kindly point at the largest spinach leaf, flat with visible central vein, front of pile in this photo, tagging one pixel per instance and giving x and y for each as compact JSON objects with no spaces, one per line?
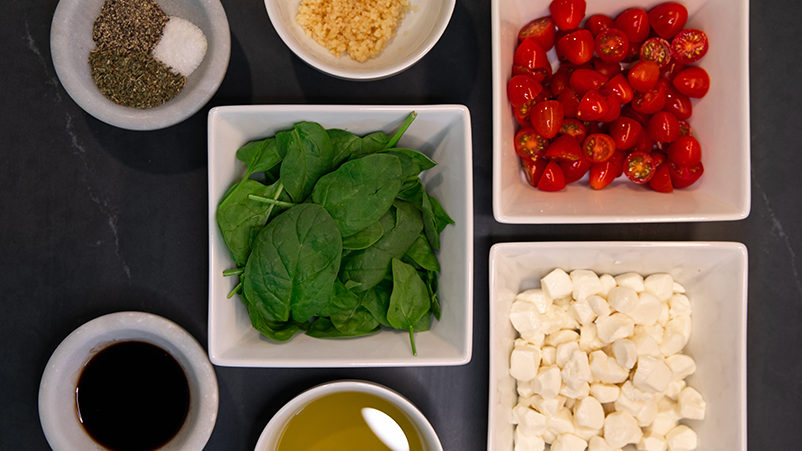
{"x":294,"y":264}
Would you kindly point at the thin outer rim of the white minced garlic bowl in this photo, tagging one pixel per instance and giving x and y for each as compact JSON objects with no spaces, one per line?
{"x":372,"y":75}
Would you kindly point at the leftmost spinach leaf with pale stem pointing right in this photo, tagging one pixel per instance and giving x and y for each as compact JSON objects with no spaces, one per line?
{"x":240,"y":218}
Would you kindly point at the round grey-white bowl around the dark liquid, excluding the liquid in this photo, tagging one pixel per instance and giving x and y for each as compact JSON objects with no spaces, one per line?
{"x":57,"y":409}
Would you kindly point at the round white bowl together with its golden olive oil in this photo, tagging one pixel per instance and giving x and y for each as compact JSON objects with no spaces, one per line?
{"x":347,"y":415}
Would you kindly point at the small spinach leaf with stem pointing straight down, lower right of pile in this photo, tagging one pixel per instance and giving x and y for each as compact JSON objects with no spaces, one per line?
{"x":409,"y":301}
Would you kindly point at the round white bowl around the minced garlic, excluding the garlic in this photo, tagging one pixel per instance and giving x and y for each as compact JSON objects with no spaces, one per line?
{"x":419,"y":31}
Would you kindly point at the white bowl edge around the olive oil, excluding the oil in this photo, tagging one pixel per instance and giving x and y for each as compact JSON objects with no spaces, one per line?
{"x":272,"y":432}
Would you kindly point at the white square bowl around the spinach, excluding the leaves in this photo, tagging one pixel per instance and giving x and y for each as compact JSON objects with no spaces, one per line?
{"x":443,"y":132}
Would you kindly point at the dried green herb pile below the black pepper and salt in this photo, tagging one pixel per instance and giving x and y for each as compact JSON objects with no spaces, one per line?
{"x":134,"y":78}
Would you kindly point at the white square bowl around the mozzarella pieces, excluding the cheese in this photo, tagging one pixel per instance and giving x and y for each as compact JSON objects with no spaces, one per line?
{"x":715,"y":277}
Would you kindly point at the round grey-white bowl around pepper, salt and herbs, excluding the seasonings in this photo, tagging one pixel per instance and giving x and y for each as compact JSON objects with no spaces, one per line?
{"x":71,"y":41}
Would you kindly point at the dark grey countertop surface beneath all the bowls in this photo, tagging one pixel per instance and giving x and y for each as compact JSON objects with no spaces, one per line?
{"x":95,"y":219}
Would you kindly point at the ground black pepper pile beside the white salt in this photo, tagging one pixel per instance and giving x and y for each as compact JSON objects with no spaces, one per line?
{"x":135,"y":25}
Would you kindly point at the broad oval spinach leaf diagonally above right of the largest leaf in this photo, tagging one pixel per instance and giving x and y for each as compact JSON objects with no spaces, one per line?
{"x":360,"y":191}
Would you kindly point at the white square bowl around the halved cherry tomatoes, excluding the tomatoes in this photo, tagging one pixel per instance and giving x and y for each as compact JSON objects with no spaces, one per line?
{"x":720,"y":121}
